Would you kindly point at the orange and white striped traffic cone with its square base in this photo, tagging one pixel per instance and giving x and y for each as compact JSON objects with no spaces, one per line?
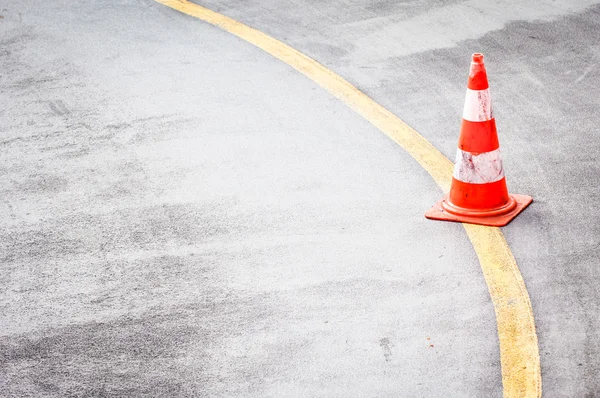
{"x":478,"y":194}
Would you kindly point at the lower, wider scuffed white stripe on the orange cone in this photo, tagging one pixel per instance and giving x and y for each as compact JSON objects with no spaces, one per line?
{"x":482,"y":168}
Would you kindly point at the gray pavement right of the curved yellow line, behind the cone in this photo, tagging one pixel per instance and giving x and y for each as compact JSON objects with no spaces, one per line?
{"x":543,"y":61}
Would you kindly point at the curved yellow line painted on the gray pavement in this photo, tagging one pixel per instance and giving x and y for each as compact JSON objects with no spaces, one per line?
{"x":519,"y":356}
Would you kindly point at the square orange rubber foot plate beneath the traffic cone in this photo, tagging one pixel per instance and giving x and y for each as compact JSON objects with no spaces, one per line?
{"x":437,"y":212}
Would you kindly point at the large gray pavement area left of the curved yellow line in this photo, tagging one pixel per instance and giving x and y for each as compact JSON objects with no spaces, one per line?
{"x":185,"y":216}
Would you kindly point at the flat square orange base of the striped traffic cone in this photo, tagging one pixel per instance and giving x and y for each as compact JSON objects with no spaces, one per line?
{"x":490,"y":218}
